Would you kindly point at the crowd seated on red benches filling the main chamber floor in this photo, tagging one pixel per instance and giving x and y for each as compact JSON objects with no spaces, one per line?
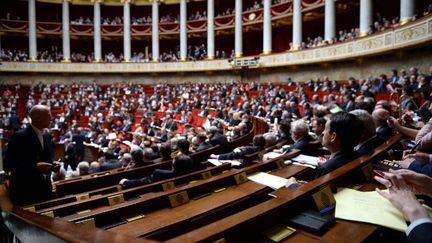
{"x":348,"y":120}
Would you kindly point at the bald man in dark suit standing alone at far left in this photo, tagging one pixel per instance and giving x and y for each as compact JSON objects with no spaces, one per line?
{"x":29,"y":159}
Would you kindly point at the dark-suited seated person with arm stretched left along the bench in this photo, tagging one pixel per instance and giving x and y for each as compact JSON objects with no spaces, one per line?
{"x":182,"y":164}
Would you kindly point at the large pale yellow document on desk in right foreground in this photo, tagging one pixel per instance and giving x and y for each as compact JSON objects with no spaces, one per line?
{"x":368,"y":207}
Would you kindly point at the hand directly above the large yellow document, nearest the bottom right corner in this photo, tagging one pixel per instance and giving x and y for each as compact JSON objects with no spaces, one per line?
{"x":401,"y":196}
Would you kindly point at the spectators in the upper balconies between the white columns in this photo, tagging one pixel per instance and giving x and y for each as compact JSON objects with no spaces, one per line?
{"x":199,"y":51}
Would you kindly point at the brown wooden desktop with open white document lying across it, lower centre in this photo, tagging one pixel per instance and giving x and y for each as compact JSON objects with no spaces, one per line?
{"x":171,"y":222}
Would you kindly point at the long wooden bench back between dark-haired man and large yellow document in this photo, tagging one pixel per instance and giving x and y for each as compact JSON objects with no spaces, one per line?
{"x":256,"y":218}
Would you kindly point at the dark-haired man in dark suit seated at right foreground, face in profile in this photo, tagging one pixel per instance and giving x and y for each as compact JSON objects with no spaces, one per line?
{"x":342,"y":132}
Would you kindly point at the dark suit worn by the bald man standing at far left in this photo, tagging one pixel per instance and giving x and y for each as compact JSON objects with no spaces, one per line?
{"x":27,"y":184}
